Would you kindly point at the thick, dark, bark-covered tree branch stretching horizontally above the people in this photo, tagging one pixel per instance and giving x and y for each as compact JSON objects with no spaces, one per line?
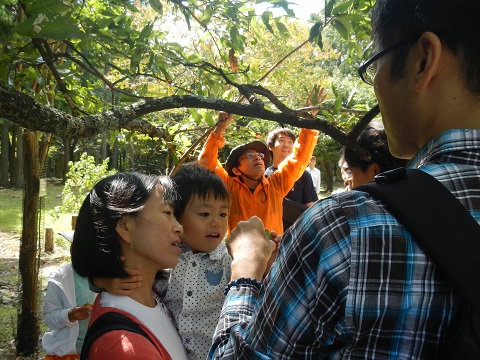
{"x":23,"y":110}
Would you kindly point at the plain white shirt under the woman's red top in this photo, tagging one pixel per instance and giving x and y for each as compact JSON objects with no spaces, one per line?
{"x":156,"y":319}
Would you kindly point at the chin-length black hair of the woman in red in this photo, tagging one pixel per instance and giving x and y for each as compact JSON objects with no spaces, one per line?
{"x":96,"y":249}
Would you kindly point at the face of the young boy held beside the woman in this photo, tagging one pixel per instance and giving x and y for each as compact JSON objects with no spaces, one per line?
{"x":205,"y":223}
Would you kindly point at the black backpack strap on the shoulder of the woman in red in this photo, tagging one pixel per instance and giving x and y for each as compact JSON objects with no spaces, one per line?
{"x":108,"y":322}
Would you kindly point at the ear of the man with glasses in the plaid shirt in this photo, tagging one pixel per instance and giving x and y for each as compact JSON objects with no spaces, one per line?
{"x":428,"y":63}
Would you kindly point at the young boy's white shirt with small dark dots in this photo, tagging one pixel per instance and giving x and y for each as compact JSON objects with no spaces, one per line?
{"x":195,"y":296}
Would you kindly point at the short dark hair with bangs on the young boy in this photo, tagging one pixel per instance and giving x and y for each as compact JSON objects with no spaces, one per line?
{"x":193,"y":179}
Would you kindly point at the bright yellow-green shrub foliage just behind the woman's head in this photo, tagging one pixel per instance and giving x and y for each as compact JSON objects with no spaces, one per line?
{"x":81,"y":178}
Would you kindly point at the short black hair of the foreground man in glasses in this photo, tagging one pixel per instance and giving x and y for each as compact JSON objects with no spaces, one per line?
{"x":454,"y":21}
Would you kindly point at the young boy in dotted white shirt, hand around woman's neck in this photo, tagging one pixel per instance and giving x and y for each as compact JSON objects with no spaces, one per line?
{"x":193,"y":292}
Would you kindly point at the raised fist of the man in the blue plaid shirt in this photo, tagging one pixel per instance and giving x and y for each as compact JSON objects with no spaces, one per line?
{"x":250,"y":249}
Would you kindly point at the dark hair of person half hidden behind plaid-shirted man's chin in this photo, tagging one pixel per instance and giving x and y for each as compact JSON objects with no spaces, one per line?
{"x":374,"y":140}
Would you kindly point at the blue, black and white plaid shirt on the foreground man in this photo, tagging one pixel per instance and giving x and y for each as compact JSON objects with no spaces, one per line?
{"x":350,"y":282}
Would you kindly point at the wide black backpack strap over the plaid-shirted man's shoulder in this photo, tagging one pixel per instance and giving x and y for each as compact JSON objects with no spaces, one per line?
{"x":440,"y":224}
